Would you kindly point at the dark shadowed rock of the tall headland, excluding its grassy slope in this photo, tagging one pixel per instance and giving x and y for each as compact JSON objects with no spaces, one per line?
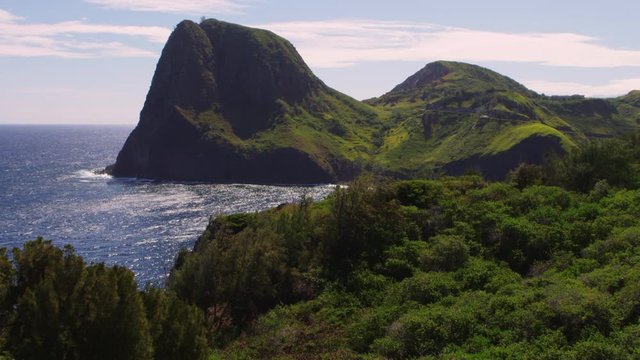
{"x":247,"y":78}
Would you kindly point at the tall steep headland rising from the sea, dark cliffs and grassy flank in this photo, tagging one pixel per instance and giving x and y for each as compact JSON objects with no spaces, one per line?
{"x":231,"y":103}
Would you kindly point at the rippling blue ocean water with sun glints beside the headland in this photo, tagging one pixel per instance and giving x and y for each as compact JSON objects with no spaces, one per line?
{"x":49,"y":188}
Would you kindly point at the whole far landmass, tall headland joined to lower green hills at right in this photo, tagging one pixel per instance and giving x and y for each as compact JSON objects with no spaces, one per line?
{"x":232,"y":103}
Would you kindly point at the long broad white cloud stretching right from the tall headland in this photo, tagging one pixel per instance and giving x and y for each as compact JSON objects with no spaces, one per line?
{"x":340,"y":43}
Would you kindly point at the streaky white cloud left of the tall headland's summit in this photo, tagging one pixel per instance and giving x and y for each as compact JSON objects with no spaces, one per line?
{"x":69,"y":39}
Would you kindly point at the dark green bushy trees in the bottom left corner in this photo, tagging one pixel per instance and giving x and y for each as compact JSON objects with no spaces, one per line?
{"x":56,"y":307}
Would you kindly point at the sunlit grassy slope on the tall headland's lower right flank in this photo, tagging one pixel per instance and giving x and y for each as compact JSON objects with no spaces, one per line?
{"x":328,"y":126}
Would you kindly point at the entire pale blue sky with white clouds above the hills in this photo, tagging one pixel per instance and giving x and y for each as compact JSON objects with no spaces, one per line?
{"x":92,"y":61}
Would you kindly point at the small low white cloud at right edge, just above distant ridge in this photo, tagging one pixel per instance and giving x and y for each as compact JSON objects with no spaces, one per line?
{"x":609,"y":89}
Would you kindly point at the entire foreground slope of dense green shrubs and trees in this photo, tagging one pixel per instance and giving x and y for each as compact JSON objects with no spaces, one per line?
{"x":454,"y":268}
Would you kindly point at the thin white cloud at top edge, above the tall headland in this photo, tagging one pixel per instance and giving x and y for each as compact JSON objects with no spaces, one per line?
{"x":194,"y":7}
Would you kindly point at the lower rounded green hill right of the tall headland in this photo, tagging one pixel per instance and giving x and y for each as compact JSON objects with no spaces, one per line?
{"x":463,"y":116}
